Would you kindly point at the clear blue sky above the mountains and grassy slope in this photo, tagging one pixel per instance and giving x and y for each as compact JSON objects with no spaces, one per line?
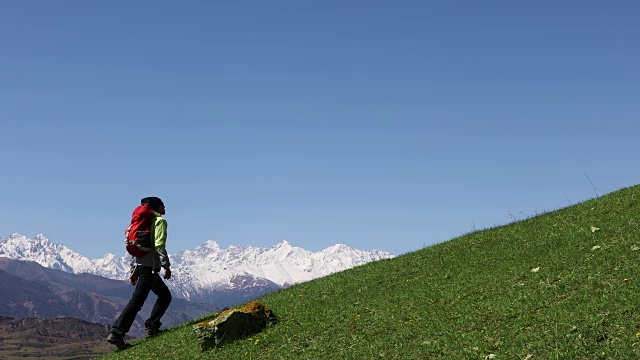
{"x":384,"y":125}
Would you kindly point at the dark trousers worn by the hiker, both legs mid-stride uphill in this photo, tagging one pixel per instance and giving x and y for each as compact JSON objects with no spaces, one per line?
{"x":147,"y":281}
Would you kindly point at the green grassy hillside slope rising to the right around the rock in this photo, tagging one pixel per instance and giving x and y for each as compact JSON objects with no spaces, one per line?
{"x":549,"y":287}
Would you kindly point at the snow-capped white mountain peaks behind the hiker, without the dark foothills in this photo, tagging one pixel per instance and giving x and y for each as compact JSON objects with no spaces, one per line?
{"x":207,"y":272}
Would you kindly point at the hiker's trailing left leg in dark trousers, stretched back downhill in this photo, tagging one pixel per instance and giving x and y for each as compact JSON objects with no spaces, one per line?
{"x":140,"y":294}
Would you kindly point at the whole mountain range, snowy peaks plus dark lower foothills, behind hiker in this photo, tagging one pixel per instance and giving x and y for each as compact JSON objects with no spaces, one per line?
{"x":55,"y":281}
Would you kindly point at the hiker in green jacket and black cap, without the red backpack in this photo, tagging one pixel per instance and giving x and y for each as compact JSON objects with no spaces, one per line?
{"x":145,"y":276}
